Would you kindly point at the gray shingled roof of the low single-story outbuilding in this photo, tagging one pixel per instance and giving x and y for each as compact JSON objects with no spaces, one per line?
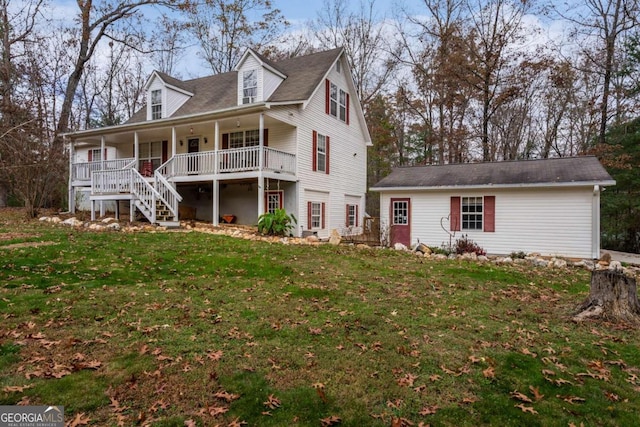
{"x":565,"y":170}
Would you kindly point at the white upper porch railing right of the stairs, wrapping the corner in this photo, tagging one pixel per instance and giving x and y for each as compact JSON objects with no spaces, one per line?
{"x":228,"y":161}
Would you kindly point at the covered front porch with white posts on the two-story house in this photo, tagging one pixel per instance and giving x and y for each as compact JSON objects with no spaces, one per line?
{"x":248,"y":148}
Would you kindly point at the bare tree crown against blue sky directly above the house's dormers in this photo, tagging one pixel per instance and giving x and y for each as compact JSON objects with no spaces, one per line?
{"x":224,"y":29}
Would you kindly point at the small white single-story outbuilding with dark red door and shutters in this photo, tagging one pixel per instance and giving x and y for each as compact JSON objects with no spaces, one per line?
{"x":548,"y":206}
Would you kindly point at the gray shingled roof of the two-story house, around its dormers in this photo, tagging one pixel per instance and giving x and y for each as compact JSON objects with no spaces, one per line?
{"x":304,"y":74}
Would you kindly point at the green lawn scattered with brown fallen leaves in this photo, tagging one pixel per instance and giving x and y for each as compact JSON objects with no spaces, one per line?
{"x":161,"y":328}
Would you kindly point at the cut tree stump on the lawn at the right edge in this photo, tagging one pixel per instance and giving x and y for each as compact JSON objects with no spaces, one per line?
{"x":612,"y":296}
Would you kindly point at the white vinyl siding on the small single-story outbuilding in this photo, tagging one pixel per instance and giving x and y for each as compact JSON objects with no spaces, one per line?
{"x":551,"y":221}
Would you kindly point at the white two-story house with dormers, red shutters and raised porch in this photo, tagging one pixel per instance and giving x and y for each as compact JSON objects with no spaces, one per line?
{"x":289,"y":134}
